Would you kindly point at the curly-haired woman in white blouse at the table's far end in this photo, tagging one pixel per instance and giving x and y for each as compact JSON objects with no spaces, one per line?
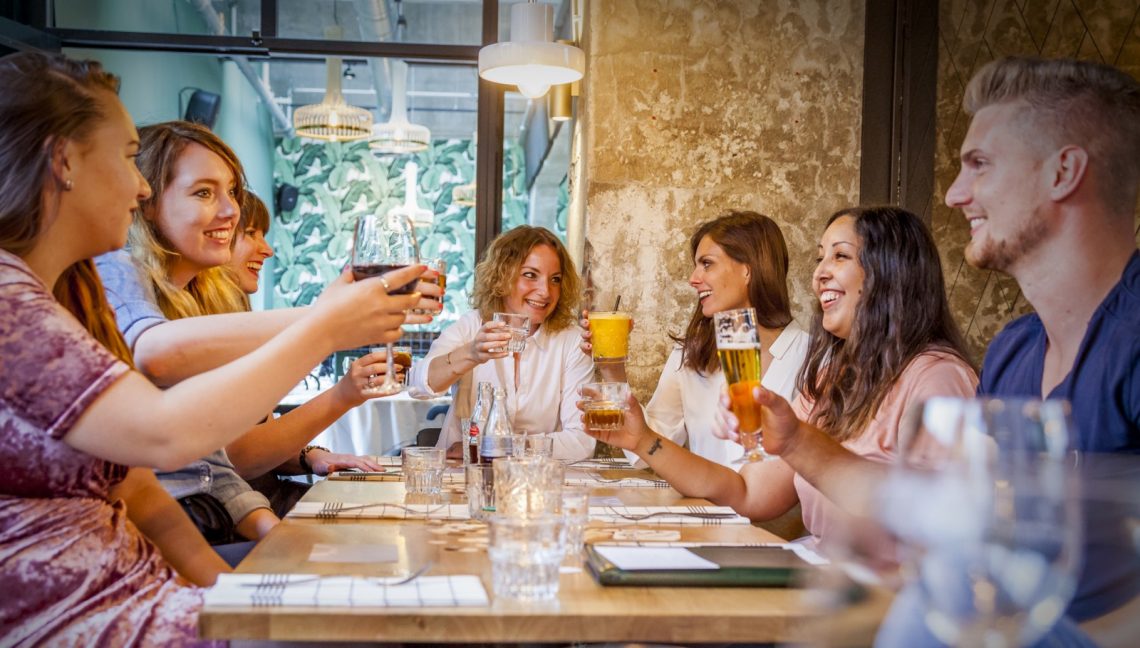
{"x":527,"y":272}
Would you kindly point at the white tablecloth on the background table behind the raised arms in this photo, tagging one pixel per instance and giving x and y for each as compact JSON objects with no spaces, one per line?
{"x":381,"y":426}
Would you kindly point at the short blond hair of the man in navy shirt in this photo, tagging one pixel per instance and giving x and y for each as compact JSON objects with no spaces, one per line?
{"x":1090,"y":106}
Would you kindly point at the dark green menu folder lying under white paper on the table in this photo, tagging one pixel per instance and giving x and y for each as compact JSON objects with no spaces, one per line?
{"x":739,"y":568}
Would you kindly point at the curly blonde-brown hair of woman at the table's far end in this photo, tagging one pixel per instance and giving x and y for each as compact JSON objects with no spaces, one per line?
{"x":496,"y":274}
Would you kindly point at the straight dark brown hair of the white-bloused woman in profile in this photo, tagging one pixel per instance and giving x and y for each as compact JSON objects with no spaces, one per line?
{"x":754,"y":240}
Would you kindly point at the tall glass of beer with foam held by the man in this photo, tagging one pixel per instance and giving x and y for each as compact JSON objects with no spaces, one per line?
{"x":738,"y":346}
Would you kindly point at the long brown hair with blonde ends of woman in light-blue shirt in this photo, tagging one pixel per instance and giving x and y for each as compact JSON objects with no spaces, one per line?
{"x":160,"y":148}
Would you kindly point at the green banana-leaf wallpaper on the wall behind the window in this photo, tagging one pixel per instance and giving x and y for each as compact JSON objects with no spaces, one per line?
{"x":339,"y":182}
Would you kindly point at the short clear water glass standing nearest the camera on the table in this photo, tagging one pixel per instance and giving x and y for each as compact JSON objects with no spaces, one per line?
{"x":526,"y":555}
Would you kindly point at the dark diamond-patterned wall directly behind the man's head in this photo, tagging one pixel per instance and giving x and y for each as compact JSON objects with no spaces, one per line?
{"x":972,"y":34}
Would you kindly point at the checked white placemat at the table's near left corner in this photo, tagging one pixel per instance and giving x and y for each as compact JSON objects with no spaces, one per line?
{"x":308,"y":590}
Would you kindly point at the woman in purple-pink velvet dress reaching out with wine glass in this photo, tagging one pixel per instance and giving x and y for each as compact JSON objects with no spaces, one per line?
{"x":97,"y":552}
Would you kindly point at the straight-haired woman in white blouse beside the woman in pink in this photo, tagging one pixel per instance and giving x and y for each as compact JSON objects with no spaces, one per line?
{"x":740,"y":261}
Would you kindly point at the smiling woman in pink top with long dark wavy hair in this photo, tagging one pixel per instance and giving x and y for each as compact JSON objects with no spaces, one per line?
{"x":883,"y":339}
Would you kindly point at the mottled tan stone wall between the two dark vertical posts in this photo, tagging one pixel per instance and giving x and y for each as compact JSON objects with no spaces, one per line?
{"x":693,"y":108}
